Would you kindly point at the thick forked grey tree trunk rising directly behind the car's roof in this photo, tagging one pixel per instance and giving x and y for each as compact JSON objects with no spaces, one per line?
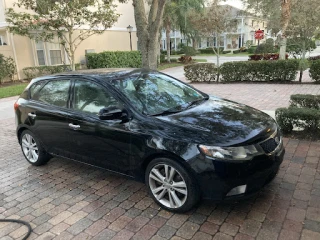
{"x":148,"y":31}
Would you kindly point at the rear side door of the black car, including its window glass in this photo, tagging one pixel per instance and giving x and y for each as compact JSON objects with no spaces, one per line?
{"x":48,"y":111}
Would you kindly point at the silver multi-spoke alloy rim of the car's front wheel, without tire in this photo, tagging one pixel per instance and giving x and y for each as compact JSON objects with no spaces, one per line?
{"x":168,"y":186}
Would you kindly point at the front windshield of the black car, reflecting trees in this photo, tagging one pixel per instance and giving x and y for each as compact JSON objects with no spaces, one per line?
{"x":158,"y":94}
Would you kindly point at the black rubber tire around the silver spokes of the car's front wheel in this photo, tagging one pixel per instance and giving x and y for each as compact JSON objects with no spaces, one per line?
{"x":192,"y":196}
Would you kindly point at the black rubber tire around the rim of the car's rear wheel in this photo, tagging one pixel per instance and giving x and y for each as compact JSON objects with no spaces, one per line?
{"x":43,"y":156}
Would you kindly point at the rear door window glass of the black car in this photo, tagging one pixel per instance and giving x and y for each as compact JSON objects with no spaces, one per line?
{"x":55,"y":92}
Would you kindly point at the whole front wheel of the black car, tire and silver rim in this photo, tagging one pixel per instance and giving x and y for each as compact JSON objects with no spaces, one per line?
{"x":171,"y":185}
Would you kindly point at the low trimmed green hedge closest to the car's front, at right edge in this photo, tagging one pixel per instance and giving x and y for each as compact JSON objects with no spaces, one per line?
{"x":305,"y":118}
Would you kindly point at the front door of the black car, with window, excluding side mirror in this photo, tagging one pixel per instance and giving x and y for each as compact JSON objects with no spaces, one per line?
{"x":104,"y":143}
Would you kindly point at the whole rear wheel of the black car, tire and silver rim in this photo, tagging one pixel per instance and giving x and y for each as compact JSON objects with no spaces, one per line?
{"x":32,"y":150}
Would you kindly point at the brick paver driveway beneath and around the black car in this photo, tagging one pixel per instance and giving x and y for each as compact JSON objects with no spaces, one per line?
{"x":68,"y":200}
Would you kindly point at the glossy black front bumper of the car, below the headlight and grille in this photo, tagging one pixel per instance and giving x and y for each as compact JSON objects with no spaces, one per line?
{"x":224,"y":176}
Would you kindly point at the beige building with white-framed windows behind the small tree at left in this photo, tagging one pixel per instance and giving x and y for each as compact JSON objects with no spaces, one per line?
{"x":28,"y":53}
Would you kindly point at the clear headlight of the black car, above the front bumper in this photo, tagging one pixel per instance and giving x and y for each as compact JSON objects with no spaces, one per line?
{"x":230,"y":153}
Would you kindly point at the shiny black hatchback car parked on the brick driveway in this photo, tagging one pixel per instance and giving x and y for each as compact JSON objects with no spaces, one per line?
{"x":184,"y":144}
